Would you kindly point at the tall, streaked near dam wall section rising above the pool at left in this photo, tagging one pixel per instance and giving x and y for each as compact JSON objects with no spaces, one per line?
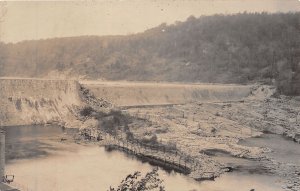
{"x":36,"y":101}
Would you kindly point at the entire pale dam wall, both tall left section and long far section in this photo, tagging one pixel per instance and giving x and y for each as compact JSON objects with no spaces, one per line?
{"x":40,"y":101}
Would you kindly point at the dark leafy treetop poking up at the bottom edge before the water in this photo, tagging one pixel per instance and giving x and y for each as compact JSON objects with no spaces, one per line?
{"x":134,"y":182}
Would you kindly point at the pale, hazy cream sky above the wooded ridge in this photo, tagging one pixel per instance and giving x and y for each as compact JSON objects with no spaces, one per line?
{"x":28,"y":20}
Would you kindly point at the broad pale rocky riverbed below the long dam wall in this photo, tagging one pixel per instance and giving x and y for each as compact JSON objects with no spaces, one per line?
{"x":196,"y":127}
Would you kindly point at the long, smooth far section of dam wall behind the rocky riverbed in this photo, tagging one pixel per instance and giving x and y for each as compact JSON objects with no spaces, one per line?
{"x":132,"y":94}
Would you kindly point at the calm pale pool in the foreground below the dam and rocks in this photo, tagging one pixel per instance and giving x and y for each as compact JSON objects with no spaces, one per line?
{"x":40,"y":161}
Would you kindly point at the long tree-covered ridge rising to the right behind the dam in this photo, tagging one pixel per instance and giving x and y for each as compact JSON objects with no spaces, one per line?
{"x":239,"y":48}
